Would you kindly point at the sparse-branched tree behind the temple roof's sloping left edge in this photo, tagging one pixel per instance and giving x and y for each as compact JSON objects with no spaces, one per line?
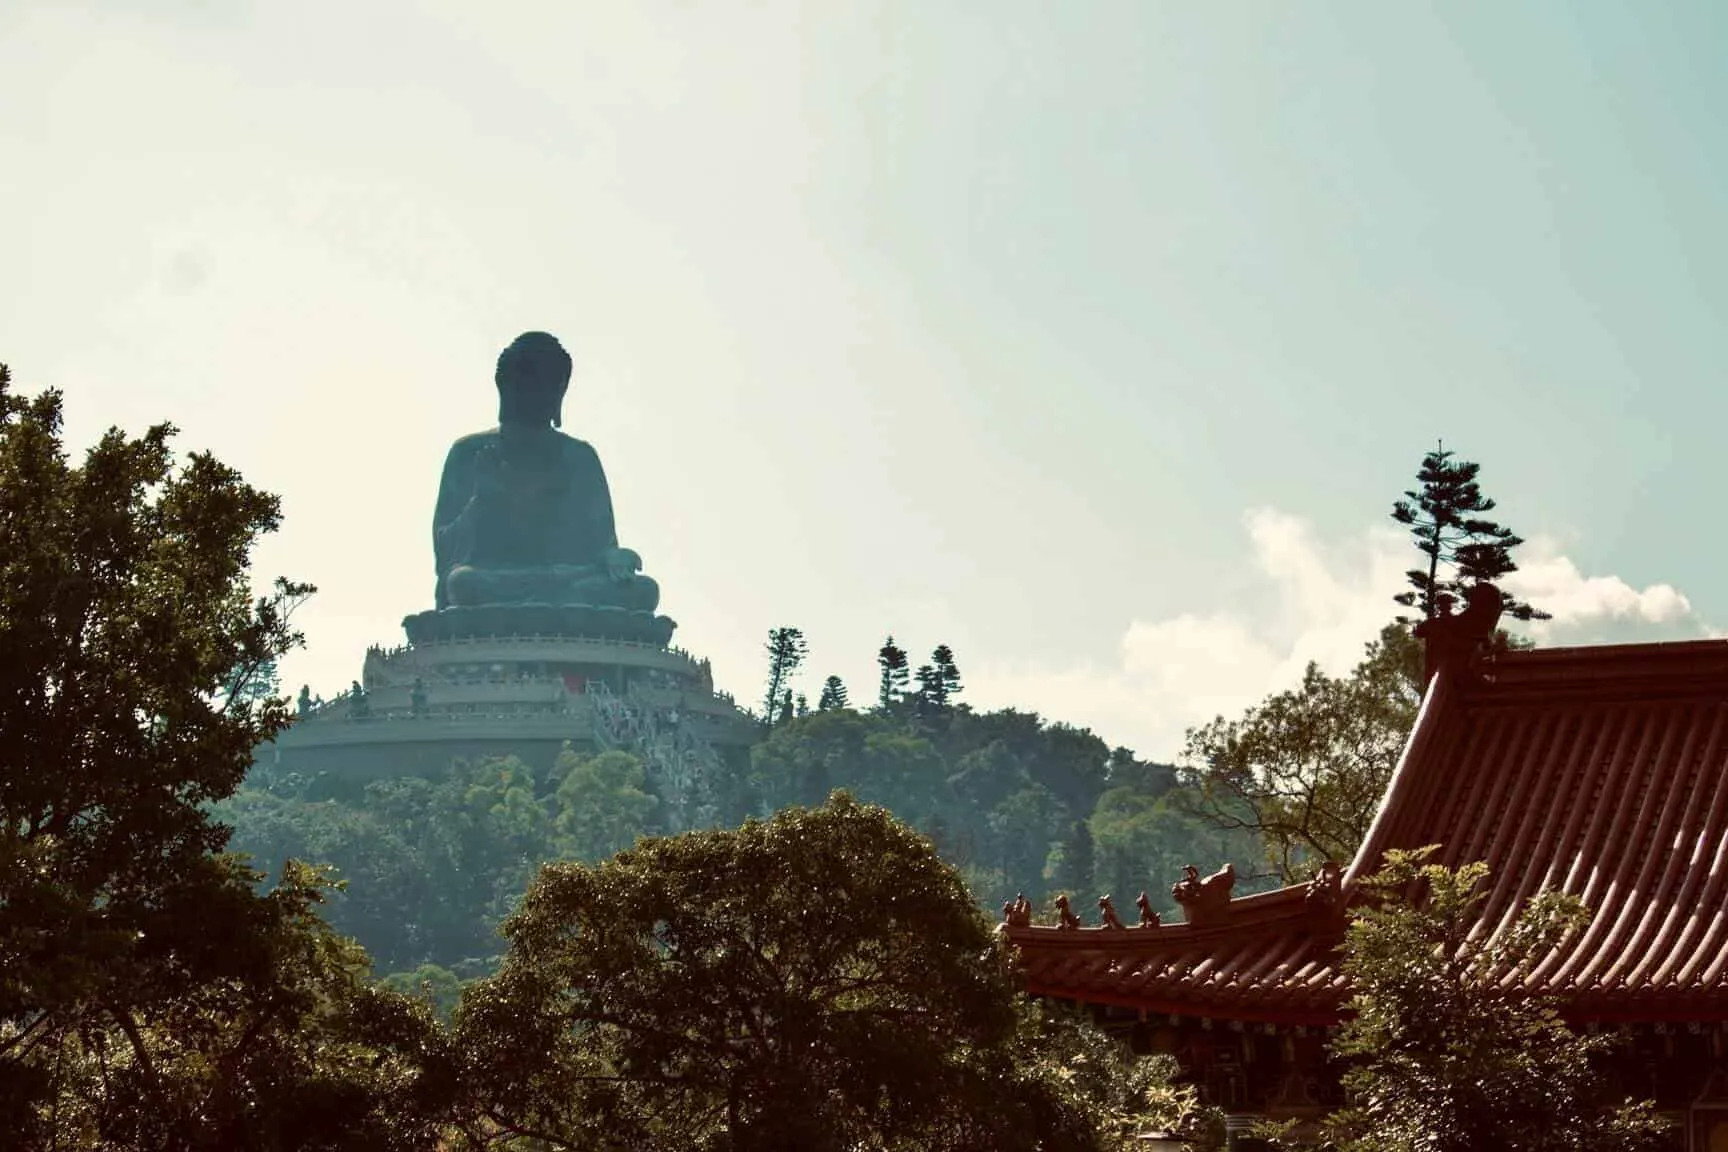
{"x":1307,"y":769}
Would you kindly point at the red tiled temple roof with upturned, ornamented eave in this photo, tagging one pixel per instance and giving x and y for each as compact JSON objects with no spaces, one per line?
{"x":1599,"y":771}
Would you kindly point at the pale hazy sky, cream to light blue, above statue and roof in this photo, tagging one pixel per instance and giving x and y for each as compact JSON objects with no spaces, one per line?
{"x":1091,"y":339}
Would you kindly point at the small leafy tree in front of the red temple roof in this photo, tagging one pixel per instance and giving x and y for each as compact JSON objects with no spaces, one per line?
{"x":1447,"y":1051}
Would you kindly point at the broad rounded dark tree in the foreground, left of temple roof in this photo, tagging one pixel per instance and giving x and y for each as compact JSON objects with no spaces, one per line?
{"x":815,"y":982}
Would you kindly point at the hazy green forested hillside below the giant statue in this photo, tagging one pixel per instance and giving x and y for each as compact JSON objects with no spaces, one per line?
{"x":1017,"y":804}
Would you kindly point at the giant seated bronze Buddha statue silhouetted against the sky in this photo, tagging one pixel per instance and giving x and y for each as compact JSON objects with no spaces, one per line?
{"x":524,"y":516}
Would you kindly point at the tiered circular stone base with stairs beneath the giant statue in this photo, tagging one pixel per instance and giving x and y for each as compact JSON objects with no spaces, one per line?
{"x":523,"y":680}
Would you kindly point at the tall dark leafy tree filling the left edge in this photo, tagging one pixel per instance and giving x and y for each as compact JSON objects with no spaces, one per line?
{"x":151,"y":997}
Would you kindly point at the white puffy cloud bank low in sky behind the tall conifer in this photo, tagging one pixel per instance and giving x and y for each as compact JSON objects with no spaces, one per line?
{"x":1312,"y":602}
